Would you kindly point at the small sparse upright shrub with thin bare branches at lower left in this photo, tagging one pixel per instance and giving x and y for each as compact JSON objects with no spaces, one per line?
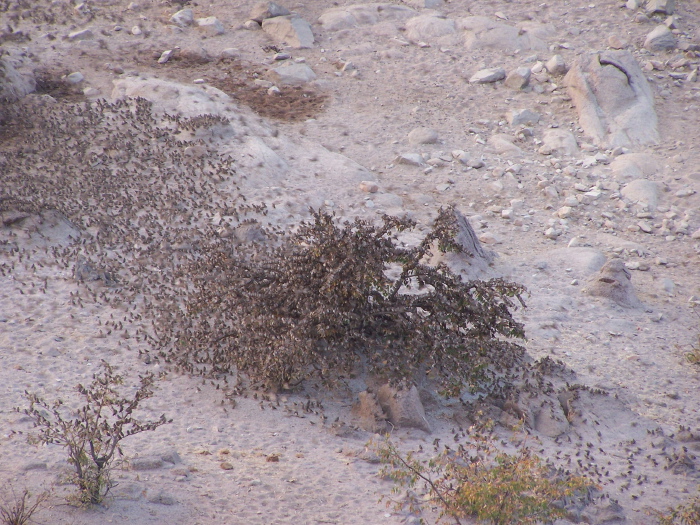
{"x":93,"y":433}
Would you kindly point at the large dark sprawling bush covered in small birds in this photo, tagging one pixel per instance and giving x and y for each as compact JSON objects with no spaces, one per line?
{"x":319,"y":302}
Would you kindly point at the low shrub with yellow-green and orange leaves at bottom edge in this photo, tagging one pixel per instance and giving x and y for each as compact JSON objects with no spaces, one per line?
{"x":479,"y":482}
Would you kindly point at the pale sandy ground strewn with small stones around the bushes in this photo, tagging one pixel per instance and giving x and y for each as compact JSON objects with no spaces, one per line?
{"x":343,"y":128}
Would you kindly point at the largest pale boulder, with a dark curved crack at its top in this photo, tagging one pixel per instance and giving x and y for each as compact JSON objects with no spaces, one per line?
{"x":614,"y":101}
